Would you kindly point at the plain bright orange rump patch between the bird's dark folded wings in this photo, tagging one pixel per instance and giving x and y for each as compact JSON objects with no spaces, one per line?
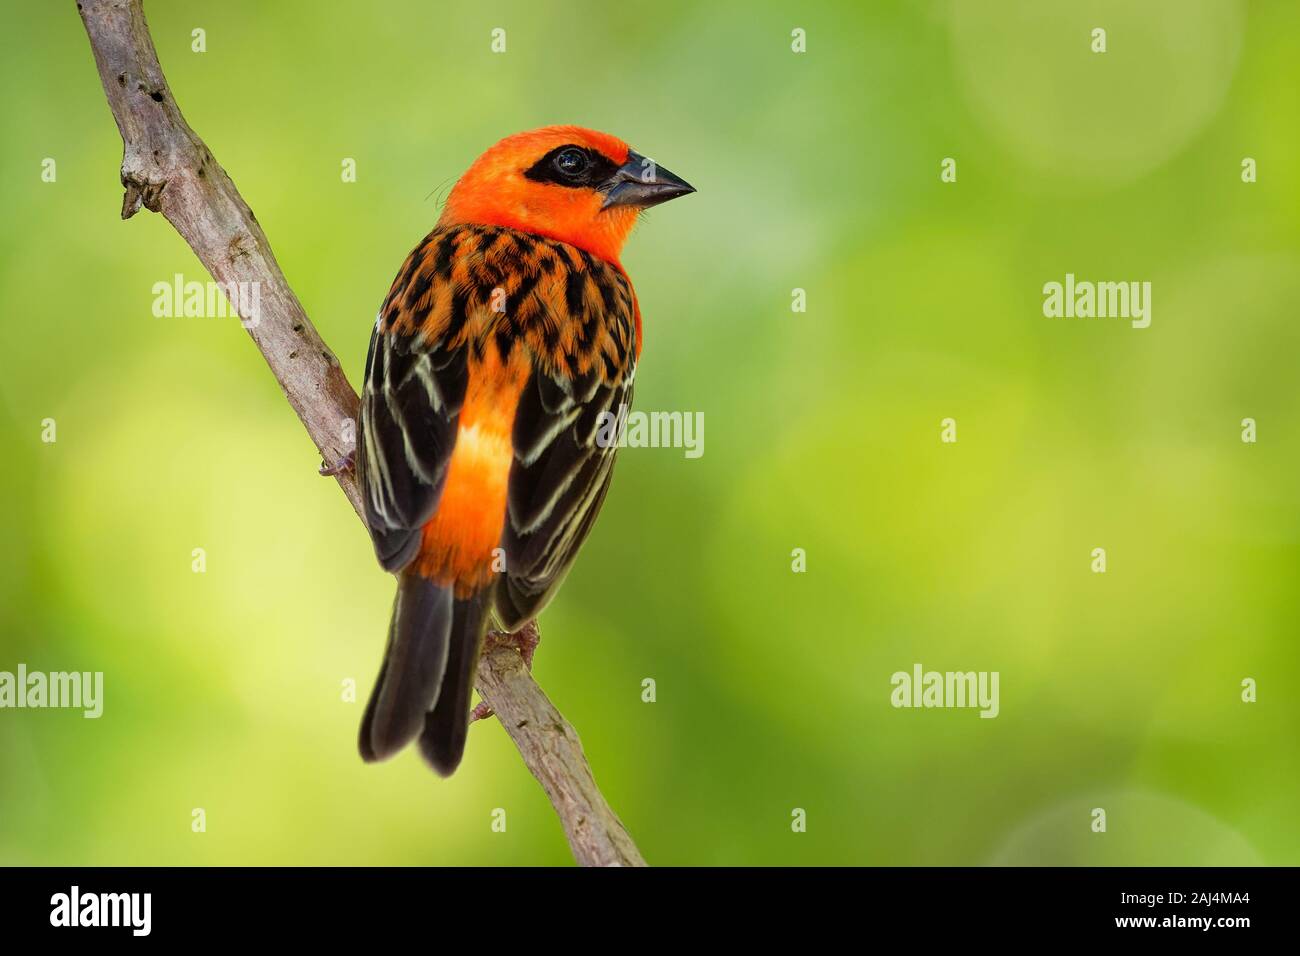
{"x":460,"y":539}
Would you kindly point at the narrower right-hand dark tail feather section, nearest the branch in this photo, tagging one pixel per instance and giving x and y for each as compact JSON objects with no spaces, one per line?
{"x":445,"y":729}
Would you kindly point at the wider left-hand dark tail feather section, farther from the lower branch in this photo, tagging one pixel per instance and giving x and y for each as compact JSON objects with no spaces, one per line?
{"x":414,"y":668}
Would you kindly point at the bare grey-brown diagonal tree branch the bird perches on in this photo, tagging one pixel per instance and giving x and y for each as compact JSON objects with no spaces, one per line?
{"x":167,"y":168}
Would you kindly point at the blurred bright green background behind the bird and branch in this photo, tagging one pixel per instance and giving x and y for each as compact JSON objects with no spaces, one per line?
{"x":817,"y":171}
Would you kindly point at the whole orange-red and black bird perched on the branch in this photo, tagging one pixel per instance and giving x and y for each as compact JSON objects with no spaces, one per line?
{"x":510,"y":336}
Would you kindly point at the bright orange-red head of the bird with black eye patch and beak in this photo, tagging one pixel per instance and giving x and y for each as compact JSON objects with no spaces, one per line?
{"x":565,"y":183}
